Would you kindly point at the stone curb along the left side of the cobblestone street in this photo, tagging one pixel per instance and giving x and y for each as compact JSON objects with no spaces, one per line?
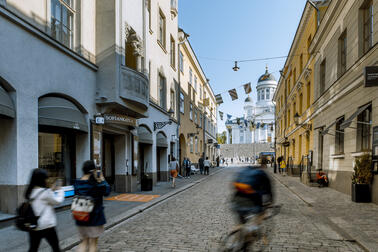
{"x":70,"y":243}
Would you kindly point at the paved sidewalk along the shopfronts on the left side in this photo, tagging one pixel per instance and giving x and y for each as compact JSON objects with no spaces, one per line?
{"x":12,"y":239}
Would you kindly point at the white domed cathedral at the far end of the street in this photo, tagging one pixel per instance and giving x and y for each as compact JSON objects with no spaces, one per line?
{"x":257,"y":124}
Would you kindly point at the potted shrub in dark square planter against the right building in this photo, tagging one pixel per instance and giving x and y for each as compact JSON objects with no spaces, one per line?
{"x":362,"y":179}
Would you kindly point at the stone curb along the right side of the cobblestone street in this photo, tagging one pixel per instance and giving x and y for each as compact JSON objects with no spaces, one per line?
{"x":341,"y":231}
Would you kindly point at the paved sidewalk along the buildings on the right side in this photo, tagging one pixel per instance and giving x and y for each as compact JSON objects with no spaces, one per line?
{"x":353,"y":221}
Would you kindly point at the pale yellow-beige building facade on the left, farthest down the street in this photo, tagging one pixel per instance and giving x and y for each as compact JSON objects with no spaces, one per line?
{"x":195,"y":118}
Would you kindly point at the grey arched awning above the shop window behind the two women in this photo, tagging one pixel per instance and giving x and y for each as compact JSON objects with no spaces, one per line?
{"x":60,"y":112}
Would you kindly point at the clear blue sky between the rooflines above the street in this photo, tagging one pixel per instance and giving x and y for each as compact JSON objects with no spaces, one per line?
{"x":229,"y":30}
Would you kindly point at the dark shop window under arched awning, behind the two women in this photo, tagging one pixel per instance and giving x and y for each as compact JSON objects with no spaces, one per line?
{"x":56,"y":154}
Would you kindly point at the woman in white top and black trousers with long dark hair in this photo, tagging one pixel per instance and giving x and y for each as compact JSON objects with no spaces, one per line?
{"x":43,"y":203}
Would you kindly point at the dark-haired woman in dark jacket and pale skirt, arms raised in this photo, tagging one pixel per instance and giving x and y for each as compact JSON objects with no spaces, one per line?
{"x":94,"y":185}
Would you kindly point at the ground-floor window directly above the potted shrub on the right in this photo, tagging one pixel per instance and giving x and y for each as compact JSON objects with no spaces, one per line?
{"x":363,"y":130}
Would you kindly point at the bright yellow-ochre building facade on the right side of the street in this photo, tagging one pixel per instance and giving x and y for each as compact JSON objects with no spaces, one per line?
{"x":295,"y":95}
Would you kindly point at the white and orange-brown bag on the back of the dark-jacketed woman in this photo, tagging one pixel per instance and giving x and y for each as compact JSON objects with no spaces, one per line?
{"x":82,"y":207}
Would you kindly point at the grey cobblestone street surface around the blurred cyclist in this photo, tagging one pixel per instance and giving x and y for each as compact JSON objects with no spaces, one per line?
{"x":196,"y":219}
